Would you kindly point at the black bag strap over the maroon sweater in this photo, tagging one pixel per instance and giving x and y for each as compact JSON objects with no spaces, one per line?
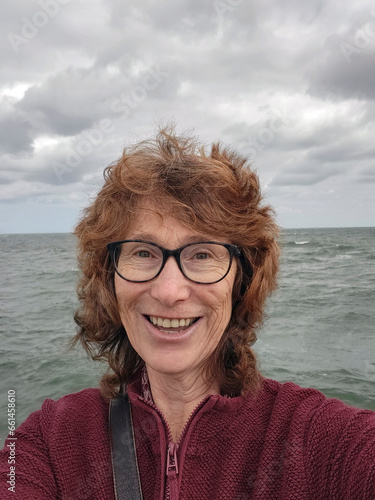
{"x":124,"y":458}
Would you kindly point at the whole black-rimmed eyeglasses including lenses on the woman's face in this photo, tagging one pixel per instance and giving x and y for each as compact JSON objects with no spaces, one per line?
{"x":205,"y":262}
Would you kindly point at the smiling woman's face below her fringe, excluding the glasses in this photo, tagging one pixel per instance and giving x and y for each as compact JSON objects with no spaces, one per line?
{"x":170,"y":296}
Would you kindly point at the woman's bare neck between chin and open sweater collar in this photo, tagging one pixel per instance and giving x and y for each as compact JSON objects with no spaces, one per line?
{"x":178,"y":395}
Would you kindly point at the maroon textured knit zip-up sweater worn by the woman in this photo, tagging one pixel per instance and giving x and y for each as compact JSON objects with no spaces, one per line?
{"x":285,"y":443}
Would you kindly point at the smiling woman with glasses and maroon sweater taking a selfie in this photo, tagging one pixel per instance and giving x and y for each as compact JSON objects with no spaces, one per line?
{"x":178,"y":257}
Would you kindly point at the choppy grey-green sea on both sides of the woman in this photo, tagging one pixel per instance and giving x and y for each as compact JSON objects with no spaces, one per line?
{"x":319,"y":331}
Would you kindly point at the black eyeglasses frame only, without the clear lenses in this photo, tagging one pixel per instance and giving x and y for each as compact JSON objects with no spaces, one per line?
{"x":232,"y":249}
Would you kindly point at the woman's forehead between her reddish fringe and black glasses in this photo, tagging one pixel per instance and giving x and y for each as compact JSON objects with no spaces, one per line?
{"x":155,"y":222}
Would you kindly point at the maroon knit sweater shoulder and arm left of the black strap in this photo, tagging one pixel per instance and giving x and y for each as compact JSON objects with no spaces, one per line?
{"x":58,"y":445}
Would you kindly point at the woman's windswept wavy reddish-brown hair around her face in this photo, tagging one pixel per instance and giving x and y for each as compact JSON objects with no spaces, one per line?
{"x":213,"y":192}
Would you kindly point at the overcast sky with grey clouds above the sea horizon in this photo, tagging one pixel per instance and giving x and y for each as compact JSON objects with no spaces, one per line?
{"x":290,"y":84}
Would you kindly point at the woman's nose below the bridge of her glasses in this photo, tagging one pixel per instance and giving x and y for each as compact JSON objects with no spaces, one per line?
{"x":170,"y":286}
